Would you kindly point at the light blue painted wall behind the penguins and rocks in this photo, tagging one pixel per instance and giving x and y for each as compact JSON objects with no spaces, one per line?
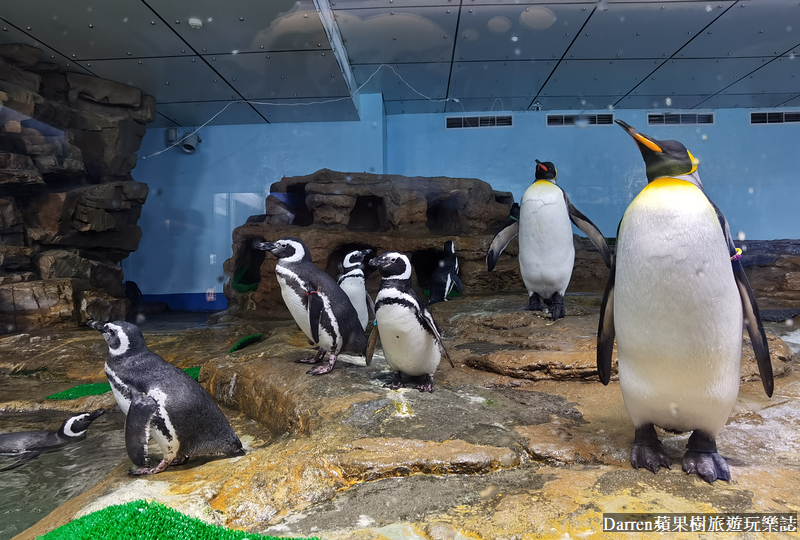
{"x":197,"y":200}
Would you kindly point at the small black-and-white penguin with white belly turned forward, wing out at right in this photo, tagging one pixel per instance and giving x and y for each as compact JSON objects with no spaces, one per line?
{"x":409,"y":336}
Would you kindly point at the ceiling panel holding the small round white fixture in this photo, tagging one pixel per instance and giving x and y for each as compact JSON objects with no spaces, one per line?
{"x":246,"y":26}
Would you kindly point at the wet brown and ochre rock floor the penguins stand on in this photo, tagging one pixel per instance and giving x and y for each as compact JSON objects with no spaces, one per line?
{"x":487,"y":455}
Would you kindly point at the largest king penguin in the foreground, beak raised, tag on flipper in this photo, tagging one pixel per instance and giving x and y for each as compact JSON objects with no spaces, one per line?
{"x":674,"y":301}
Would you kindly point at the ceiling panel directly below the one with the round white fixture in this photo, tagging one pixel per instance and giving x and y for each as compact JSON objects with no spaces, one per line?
{"x":297,"y":74}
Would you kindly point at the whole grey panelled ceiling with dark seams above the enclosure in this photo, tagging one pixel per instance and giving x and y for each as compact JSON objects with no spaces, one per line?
{"x":508,"y":55}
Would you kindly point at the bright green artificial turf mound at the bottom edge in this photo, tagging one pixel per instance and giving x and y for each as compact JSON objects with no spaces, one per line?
{"x":143,"y":520}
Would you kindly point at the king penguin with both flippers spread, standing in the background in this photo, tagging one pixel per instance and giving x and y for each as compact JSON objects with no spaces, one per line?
{"x":546,"y":250}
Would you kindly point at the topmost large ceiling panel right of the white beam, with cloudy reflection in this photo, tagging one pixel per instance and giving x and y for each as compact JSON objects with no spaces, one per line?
{"x":414,"y":34}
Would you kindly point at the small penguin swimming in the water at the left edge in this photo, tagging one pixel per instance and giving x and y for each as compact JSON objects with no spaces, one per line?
{"x":29,"y":445}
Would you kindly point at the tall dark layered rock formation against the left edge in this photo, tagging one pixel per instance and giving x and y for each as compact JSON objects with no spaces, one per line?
{"x":68,"y":205}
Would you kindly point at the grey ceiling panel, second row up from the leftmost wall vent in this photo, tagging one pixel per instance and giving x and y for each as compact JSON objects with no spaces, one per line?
{"x":492,"y":79}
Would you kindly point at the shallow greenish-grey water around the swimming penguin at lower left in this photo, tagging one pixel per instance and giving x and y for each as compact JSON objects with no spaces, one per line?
{"x":30,"y":492}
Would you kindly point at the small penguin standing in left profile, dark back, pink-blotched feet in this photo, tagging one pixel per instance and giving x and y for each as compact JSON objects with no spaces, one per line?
{"x":318,"y":305}
